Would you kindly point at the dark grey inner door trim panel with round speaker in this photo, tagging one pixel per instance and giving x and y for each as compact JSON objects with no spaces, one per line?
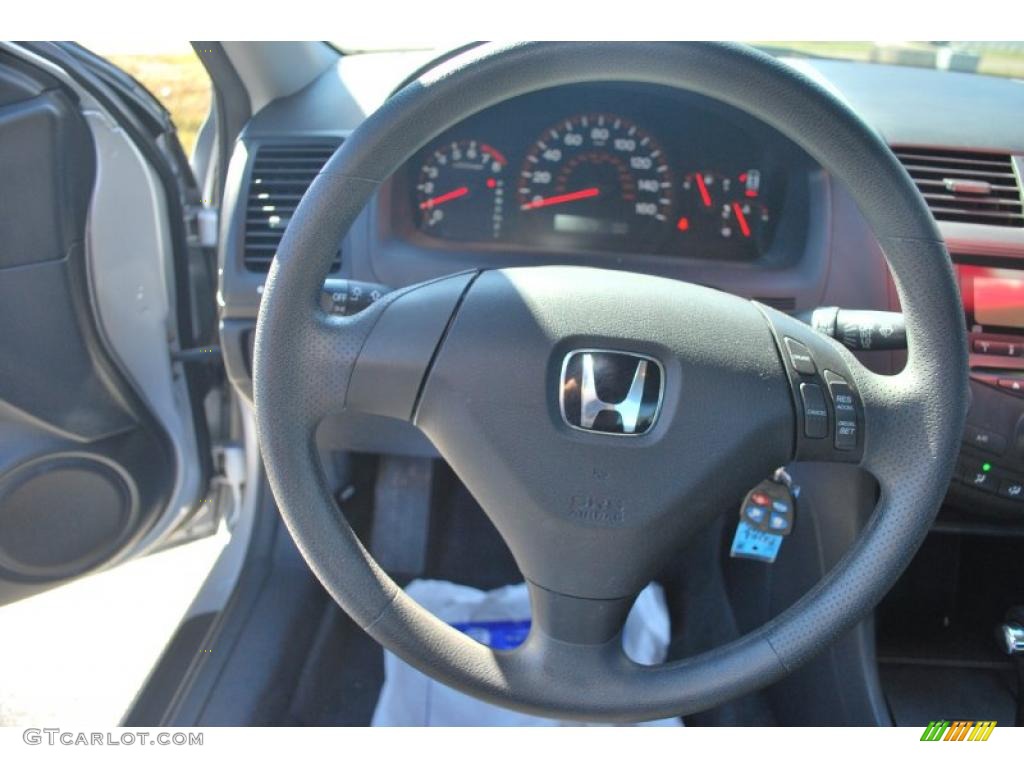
{"x":86,"y":468}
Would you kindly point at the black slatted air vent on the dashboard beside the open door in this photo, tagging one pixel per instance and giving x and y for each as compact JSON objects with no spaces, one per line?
{"x":280,"y":177}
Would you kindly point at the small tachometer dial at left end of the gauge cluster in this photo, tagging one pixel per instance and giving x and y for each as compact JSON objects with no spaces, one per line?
{"x":461,"y":191}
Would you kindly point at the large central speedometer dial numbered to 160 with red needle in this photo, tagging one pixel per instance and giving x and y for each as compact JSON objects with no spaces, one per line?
{"x":598,"y":178}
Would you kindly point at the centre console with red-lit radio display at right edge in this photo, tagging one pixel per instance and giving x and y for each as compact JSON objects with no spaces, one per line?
{"x":938,"y":644}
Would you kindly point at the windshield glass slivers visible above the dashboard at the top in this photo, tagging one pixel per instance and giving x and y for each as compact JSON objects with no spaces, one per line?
{"x":999,"y":59}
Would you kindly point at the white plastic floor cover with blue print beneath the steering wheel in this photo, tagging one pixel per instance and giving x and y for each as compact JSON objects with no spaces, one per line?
{"x":499,"y":619}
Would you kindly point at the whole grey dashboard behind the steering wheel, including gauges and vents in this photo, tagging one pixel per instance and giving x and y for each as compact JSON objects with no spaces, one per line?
{"x":662,"y":182}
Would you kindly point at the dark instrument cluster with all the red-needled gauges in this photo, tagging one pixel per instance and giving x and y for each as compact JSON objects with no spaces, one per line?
{"x":613,"y":167}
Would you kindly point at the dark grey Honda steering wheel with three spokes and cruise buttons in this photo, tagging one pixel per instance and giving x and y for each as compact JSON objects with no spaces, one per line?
{"x":601,"y":418}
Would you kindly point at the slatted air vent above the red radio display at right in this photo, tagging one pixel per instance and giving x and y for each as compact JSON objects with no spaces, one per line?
{"x":968,"y":187}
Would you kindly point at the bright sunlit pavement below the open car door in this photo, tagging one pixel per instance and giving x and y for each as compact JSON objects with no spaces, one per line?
{"x":78,"y":655}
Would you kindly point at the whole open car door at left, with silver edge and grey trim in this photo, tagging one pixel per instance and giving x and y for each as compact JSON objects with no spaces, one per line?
{"x":107,"y":322}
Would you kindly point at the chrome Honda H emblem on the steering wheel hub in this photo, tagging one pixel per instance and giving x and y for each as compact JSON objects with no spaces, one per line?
{"x":604,"y":391}
